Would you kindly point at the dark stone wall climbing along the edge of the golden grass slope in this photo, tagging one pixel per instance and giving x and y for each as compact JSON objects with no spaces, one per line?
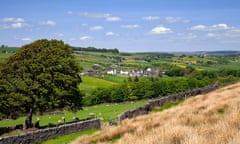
{"x":165,"y":99}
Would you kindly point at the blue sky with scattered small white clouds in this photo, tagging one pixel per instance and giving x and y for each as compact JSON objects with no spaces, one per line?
{"x":129,"y":25}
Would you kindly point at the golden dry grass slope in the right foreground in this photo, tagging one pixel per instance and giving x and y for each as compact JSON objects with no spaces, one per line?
{"x":213,"y":118}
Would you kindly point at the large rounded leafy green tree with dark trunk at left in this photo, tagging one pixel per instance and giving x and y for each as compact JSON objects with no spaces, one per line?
{"x":41,"y":76}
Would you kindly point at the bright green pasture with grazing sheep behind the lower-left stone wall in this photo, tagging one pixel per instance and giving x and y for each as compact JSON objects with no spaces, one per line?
{"x":105,"y":112}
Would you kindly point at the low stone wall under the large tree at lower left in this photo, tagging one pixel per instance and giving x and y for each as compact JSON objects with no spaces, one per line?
{"x":45,"y":134}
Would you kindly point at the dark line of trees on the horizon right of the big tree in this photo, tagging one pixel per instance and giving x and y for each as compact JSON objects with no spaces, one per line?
{"x":93,"y":49}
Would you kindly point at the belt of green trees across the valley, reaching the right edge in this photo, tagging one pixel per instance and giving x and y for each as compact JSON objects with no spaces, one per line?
{"x":147,"y":88}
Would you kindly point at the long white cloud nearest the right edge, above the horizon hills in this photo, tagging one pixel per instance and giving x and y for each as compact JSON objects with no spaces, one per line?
{"x":215,"y":27}
